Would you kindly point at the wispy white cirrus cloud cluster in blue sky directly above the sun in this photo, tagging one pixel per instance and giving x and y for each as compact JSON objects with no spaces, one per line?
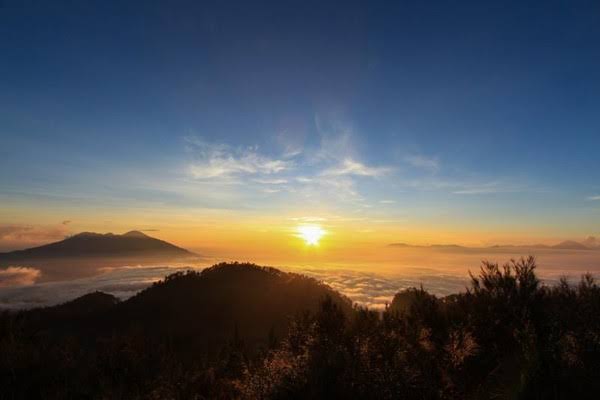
{"x":325,"y":173}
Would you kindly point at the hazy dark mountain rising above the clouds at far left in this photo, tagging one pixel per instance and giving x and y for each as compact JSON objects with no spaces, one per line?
{"x":89,"y":244}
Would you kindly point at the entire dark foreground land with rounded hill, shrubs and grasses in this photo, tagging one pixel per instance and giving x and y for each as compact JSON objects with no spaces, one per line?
{"x":198,"y":336}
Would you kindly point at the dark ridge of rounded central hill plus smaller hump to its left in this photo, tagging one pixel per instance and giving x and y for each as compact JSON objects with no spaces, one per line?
{"x":198,"y":309}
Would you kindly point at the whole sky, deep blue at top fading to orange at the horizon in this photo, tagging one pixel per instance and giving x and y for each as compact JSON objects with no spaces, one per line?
{"x":223,"y":126}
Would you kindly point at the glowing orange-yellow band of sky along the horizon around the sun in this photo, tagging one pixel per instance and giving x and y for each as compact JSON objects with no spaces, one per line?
{"x":232,"y":235}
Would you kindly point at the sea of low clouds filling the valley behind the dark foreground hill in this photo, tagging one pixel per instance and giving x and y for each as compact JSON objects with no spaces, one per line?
{"x":19,"y":289}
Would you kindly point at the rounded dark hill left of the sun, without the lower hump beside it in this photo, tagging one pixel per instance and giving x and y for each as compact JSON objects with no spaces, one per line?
{"x":207,"y":307}
